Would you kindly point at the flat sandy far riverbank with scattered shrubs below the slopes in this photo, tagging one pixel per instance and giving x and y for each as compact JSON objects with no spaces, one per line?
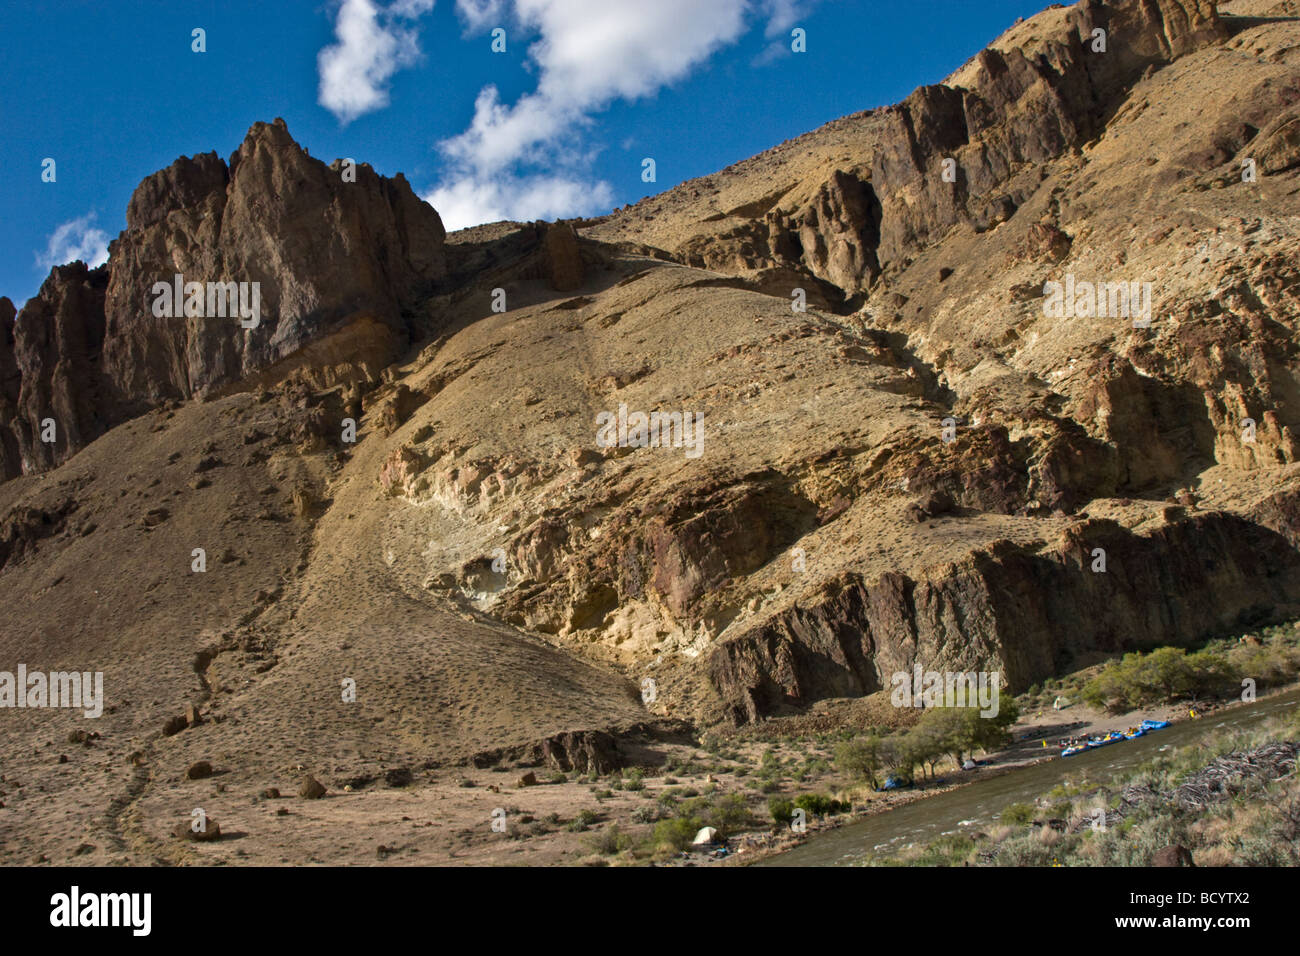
{"x":739,"y":781}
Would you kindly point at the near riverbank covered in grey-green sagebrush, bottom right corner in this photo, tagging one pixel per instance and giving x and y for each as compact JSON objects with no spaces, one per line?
{"x":1229,"y":799}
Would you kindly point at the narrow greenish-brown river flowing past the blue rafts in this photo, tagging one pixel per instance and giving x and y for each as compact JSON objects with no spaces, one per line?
{"x":978,"y":806}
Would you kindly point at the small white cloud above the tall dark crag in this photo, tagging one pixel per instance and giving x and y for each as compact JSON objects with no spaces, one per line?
{"x":374,"y":44}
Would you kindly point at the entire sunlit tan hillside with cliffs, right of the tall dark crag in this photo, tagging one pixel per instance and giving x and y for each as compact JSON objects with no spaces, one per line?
{"x":928,"y":465}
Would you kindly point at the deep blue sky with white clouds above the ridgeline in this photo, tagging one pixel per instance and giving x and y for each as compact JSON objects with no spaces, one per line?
{"x":557,"y":126}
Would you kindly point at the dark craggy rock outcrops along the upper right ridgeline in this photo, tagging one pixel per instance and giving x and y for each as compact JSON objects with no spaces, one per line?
{"x":855,"y":214}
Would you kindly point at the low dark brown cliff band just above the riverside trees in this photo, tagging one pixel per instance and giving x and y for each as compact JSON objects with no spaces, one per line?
{"x":1024,"y":613}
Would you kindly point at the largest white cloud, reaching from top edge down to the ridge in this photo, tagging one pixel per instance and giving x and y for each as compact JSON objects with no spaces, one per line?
{"x":527,"y":161}
